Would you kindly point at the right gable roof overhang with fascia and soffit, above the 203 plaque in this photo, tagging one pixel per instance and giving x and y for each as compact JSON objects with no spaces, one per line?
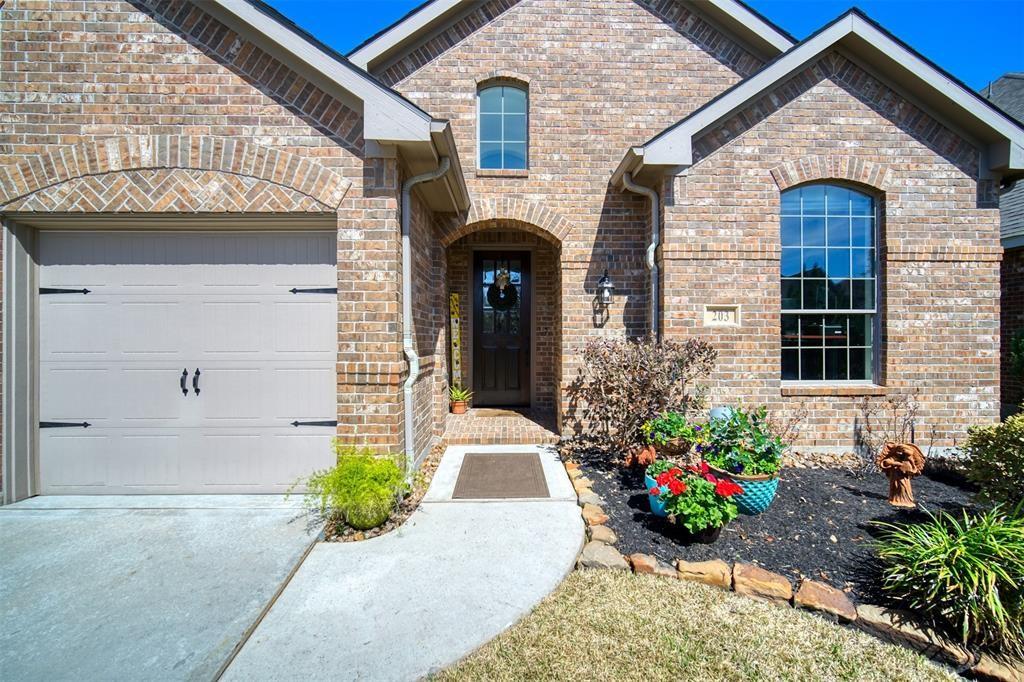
{"x":942,"y":95}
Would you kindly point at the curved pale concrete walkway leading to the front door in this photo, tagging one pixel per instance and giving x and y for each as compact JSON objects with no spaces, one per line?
{"x":409,"y":604}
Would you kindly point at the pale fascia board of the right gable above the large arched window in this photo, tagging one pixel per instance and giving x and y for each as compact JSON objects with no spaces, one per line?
{"x":674,"y":147}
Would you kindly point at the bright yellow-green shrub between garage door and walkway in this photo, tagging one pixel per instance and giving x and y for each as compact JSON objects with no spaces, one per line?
{"x":361,"y":491}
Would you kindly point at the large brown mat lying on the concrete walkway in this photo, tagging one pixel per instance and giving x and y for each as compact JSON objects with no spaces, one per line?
{"x":501,"y":476}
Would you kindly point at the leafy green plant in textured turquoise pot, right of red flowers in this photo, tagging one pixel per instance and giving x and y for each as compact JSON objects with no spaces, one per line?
{"x":743,"y":448}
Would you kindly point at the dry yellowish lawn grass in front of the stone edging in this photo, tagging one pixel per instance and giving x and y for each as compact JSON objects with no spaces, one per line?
{"x":612,"y":626}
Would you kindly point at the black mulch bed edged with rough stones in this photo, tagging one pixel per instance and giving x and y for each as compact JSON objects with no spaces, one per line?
{"x":818,"y":528}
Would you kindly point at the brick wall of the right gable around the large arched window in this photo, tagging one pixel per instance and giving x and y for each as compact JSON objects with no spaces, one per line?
{"x":940,"y":262}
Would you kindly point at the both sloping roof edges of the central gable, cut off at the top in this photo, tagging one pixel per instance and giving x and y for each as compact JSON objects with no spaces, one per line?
{"x":757,"y":32}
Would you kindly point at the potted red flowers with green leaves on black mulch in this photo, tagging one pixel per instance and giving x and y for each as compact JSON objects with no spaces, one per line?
{"x":699,"y":502}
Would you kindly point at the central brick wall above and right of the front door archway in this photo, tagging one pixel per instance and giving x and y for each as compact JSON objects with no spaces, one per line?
{"x":608,"y":75}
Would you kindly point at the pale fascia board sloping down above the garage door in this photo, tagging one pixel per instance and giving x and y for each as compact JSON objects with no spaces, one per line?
{"x":387,"y":116}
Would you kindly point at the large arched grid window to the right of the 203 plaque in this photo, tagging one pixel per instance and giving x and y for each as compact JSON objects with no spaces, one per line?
{"x":830,"y":285}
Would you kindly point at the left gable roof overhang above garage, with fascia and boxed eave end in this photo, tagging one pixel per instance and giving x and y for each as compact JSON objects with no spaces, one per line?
{"x":389,"y":118}
